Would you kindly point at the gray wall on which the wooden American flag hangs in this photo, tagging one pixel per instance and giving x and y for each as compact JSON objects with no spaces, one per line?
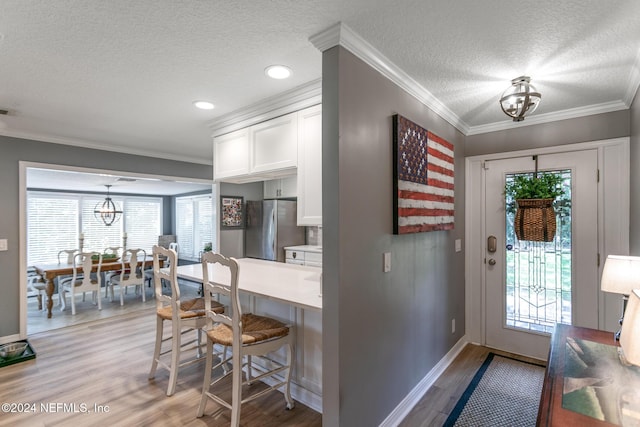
{"x":382,"y":332}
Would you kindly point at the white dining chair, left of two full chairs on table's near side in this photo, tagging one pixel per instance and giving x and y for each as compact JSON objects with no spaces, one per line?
{"x":83,"y":280}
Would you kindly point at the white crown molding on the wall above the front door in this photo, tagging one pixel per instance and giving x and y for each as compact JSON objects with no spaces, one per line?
{"x":571,"y":113}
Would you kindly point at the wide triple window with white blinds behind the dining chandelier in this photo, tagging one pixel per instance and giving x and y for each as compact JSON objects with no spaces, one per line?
{"x":55,"y":221}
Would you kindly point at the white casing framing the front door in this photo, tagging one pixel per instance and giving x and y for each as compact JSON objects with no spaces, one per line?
{"x":613,"y":226}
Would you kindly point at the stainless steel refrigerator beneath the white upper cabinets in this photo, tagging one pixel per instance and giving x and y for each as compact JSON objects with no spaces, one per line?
{"x":271,"y":225}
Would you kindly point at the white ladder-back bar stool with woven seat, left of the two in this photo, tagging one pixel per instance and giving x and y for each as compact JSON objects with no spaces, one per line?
{"x":185,"y":317}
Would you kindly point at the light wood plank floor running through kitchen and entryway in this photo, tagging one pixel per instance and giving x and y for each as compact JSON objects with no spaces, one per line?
{"x":103,"y":363}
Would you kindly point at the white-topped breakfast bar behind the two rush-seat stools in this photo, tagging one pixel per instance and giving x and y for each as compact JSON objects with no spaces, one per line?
{"x":293,"y":294}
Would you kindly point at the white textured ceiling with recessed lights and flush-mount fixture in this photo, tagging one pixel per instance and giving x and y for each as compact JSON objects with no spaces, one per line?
{"x":122,"y":74}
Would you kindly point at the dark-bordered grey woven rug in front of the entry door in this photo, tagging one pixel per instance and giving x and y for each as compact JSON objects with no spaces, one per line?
{"x":504,"y":392}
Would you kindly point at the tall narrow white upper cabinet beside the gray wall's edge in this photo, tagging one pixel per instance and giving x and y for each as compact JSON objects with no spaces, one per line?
{"x":310,"y":166}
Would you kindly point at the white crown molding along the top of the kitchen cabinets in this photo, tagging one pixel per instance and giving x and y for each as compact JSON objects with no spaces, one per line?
{"x":284,"y":103}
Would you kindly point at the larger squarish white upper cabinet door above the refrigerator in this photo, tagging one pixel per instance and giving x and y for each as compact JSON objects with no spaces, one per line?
{"x":274,"y":144}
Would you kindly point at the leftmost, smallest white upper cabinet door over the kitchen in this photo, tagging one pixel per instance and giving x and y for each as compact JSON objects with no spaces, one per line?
{"x":231,"y":154}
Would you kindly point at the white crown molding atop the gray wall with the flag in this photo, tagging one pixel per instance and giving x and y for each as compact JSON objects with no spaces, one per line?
{"x":340,"y":34}
